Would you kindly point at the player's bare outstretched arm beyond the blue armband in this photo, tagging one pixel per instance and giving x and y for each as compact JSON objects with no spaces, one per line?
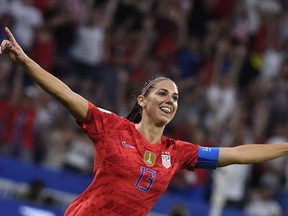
{"x":251,"y":153}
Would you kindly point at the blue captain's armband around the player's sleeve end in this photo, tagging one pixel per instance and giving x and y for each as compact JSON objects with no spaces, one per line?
{"x":207,"y":157}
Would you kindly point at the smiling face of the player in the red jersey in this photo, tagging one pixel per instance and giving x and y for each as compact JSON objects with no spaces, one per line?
{"x":160,"y":104}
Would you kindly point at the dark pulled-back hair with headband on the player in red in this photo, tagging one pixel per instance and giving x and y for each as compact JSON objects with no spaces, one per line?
{"x":136,"y":114}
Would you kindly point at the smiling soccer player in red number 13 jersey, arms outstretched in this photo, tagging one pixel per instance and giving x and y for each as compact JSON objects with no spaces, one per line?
{"x":134,"y":162}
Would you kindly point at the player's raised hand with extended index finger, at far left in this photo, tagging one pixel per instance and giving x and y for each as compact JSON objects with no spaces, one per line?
{"x":12,"y":48}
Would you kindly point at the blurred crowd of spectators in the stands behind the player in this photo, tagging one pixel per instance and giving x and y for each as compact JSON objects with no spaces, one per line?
{"x":228,"y":57}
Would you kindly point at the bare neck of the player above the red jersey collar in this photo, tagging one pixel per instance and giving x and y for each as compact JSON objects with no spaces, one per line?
{"x":152,"y":133}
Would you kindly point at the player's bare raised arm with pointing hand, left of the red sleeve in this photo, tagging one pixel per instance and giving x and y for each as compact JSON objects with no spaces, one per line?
{"x":76,"y":104}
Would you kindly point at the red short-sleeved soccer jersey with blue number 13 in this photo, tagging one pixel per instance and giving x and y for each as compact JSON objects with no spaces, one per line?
{"x":130,"y":174}
